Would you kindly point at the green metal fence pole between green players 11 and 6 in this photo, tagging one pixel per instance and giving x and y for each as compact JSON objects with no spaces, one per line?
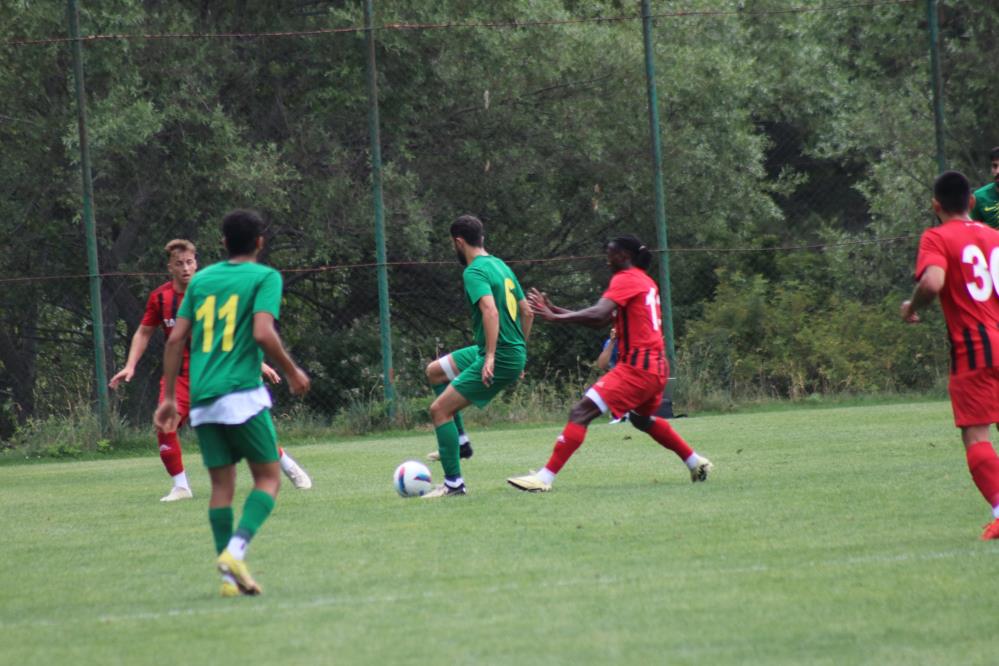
{"x":384,"y":324}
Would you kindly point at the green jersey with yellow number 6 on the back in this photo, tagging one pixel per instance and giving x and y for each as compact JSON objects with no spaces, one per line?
{"x":489,"y":276}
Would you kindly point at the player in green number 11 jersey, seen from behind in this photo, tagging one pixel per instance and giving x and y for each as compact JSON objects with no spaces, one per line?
{"x":228,"y":314}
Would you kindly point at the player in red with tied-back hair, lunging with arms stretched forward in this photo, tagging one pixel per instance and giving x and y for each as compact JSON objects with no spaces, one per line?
{"x":635,"y":386}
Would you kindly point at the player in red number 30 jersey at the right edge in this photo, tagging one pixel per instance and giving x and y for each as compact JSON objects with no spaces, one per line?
{"x":959,"y":262}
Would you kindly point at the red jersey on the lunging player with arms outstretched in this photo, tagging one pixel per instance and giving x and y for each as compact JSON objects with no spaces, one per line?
{"x":639,"y":320}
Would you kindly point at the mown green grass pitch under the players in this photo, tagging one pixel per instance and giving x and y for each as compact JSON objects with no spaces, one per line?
{"x":832,"y":536}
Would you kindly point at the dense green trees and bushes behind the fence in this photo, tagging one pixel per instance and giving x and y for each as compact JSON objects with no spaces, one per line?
{"x":779,"y":130}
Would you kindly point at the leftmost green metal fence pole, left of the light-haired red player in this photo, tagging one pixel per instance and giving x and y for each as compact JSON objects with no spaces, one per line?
{"x":89,"y":227}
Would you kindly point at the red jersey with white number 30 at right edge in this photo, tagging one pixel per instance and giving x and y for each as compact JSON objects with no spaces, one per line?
{"x":969,"y":253}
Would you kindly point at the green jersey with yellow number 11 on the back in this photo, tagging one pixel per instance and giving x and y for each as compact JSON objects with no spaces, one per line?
{"x":220,"y":302}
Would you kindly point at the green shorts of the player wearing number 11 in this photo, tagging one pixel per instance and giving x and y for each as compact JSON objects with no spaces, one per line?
{"x":255,"y":440}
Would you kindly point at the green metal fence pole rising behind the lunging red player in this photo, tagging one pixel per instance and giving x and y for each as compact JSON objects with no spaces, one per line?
{"x":657,"y":163}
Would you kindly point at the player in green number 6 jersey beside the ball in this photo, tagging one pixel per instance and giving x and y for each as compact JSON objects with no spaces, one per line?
{"x":501,"y":319}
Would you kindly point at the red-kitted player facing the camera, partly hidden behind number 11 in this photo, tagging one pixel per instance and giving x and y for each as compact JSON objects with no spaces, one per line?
{"x":161,"y":311}
